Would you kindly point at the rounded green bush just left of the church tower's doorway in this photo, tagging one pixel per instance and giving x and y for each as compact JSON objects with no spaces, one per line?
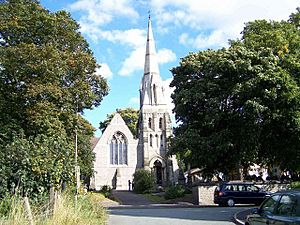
{"x":143,"y":181}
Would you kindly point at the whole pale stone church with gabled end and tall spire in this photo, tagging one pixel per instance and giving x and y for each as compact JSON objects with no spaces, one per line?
{"x":119,"y":154}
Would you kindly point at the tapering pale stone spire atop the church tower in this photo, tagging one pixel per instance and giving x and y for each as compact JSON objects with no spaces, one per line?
{"x":151,"y":91}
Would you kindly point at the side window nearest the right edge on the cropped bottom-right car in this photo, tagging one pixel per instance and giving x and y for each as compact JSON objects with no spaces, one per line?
{"x":288,"y":206}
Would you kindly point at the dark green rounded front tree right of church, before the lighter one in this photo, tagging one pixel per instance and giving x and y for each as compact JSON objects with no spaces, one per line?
{"x":224,"y":100}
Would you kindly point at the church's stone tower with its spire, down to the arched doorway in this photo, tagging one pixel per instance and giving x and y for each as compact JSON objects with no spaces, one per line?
{"x":154,"y":120}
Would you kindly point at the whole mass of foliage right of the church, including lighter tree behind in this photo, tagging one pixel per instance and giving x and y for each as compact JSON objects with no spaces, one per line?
{"x":240,"y":105}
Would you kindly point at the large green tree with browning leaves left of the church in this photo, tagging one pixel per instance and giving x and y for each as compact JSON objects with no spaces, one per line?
{"x":47,"y":76}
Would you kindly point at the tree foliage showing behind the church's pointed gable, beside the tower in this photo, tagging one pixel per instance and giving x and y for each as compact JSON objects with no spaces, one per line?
{"x":129,"y":115}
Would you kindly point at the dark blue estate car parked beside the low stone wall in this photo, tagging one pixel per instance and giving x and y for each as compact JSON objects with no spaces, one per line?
{"x":231,"y":193}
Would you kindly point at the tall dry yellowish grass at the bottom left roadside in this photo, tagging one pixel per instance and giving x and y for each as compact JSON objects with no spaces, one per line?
{"x":87,"y":212}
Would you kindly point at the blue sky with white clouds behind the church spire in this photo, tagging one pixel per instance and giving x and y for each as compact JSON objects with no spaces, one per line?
{"x":116,"y":32}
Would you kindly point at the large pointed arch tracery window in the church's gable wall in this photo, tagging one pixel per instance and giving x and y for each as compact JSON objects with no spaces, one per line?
{"x":118,"y":149}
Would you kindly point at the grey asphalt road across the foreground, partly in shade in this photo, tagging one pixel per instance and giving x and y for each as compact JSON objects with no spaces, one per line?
{"x":173,"y":216}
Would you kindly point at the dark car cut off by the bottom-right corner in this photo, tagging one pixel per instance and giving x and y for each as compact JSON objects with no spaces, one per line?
{"x":280,"y":208}
